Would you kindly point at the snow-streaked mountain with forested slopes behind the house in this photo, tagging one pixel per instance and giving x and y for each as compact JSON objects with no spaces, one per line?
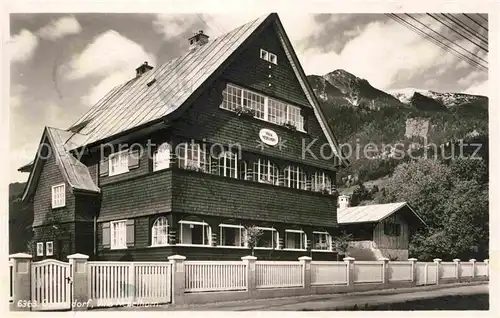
{"x":407,"y":120}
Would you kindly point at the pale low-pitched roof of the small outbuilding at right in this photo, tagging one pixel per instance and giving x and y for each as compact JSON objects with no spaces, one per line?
{"x":372,"y":213}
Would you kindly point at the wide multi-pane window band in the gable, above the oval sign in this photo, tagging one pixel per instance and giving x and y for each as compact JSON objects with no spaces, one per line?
{"x":263,"y":107}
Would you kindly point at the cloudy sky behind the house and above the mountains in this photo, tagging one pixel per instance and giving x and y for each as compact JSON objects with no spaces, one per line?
{"x":61,"y":64}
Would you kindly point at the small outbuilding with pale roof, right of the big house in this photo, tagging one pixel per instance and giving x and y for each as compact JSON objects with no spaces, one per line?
{"x":378,"y":230}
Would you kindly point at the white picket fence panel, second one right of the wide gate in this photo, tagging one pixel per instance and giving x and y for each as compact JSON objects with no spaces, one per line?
{"x":279,"y":274}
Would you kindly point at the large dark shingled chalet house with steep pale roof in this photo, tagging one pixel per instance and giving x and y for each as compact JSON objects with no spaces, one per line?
{"x":183,"y":157}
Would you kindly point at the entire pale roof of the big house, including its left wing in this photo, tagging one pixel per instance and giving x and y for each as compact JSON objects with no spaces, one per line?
{"x":157,"y":94}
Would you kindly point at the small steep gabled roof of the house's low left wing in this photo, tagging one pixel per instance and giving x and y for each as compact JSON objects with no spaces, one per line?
{"x":75,"y":173}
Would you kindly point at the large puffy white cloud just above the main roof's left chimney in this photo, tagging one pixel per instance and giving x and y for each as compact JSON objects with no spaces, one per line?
{"x":110,"y":56}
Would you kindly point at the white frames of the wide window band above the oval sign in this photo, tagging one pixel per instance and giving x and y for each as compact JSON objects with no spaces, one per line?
{"x":231,"y":101}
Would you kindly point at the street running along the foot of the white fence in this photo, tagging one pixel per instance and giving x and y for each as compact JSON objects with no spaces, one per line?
{"x":337,"y":301}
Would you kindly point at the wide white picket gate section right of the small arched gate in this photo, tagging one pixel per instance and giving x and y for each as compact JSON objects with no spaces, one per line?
{"x":124,"y":283}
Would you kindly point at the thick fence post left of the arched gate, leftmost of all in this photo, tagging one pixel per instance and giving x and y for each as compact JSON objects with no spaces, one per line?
{"x":21,"y":282}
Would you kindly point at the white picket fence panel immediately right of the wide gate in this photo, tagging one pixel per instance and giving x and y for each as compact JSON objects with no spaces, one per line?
{"x":202,"y":276}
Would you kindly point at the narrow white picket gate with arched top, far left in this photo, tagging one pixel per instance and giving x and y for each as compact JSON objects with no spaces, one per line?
{"x":51,"y":285}
